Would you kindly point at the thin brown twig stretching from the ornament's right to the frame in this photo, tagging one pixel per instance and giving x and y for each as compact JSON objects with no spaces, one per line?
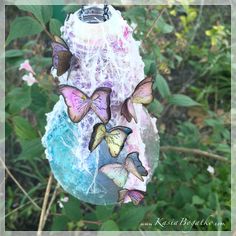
{"x":194,"y":152}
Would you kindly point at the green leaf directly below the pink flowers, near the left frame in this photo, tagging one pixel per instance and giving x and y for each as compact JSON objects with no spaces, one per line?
{"x":18,"y":99}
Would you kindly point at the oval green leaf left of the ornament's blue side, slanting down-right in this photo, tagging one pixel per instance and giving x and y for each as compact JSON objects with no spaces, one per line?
{"x":23,"y":128}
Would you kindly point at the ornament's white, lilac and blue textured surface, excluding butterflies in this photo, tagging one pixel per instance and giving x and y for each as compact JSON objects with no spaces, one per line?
{"x":109,"y":56}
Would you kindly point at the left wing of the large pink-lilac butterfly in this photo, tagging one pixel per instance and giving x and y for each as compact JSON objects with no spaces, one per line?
{"x":77,"y":102}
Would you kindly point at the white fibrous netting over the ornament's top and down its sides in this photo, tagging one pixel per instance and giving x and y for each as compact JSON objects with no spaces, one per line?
{"x":109,"y":57}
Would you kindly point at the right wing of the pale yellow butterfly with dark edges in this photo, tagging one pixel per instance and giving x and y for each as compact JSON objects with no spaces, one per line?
{"x":116,"y":138}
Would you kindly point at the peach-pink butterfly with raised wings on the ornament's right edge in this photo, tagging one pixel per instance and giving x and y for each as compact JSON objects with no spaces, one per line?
{"x":142,"y":94}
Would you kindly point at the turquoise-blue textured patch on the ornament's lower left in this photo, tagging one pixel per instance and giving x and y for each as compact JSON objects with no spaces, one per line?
{"x":78,"y":182}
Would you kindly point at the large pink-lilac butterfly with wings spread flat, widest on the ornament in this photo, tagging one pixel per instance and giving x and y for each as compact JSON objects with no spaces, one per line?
{"x":79,"y":103}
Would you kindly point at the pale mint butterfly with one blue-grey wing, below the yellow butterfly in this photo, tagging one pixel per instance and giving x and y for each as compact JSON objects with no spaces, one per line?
{"x":119,"y":172}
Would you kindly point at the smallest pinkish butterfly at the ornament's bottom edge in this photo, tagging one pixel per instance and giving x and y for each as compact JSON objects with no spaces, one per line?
{"x":136,"y":196}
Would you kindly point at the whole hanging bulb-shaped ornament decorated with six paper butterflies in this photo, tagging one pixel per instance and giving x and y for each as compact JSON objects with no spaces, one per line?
{"x":101,"y":142}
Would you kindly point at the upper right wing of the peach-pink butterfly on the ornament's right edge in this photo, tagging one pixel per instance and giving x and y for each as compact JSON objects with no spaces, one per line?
{"x":143,"y":92}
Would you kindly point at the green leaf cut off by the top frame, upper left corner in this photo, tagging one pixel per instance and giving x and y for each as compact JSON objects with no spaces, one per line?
{"x":43,"y":13}
